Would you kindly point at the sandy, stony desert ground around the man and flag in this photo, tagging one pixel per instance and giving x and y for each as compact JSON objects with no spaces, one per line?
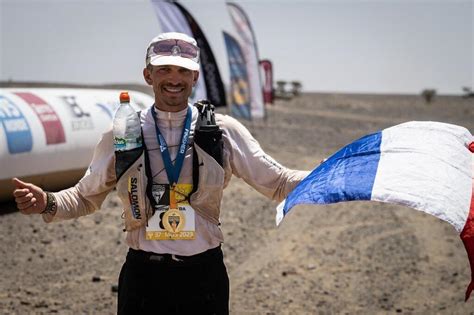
{"x":347,"y":258}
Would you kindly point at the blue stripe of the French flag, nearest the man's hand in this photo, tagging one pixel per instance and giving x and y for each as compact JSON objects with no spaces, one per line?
{"x":349,"y":174}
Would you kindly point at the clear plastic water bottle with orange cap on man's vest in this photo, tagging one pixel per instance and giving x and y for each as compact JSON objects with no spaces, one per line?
{"x":127,"y":131}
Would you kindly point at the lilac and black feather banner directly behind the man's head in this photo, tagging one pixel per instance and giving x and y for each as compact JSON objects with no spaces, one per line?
{"x":175,"y":18}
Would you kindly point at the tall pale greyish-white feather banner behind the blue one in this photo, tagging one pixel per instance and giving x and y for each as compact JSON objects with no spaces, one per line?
{"x":249,"y":46}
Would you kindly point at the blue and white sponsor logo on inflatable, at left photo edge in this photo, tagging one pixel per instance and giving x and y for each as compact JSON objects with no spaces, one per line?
{"x":16,"y":127}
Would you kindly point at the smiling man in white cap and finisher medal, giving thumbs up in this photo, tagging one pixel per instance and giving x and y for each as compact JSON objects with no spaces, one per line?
{"x":175,"y":263}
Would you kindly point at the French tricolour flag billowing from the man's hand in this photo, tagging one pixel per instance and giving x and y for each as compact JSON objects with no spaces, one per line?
{"x":428,"y":166}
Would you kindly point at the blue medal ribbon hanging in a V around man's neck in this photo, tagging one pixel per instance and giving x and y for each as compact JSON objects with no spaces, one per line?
{"x":173,"y":171}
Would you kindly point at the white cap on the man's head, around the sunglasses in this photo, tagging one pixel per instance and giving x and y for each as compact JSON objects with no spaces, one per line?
{"x":175,"y":59}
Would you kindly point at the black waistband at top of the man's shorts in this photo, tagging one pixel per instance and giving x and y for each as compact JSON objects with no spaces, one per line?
{"x":140,"y":256}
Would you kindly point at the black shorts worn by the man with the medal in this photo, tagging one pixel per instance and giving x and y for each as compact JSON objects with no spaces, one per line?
{"x":165,"y":284}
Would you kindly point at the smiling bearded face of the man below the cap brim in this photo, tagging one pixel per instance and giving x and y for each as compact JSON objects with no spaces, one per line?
{"x":172,"y":86}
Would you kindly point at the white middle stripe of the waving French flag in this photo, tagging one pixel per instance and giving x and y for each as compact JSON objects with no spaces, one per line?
{"x":426,"y":166}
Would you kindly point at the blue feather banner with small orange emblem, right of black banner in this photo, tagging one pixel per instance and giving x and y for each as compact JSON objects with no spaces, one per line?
{"x":239,"y":88}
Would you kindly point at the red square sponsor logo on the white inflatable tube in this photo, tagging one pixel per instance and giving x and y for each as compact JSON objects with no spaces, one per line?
{"x":52,"y":125}
